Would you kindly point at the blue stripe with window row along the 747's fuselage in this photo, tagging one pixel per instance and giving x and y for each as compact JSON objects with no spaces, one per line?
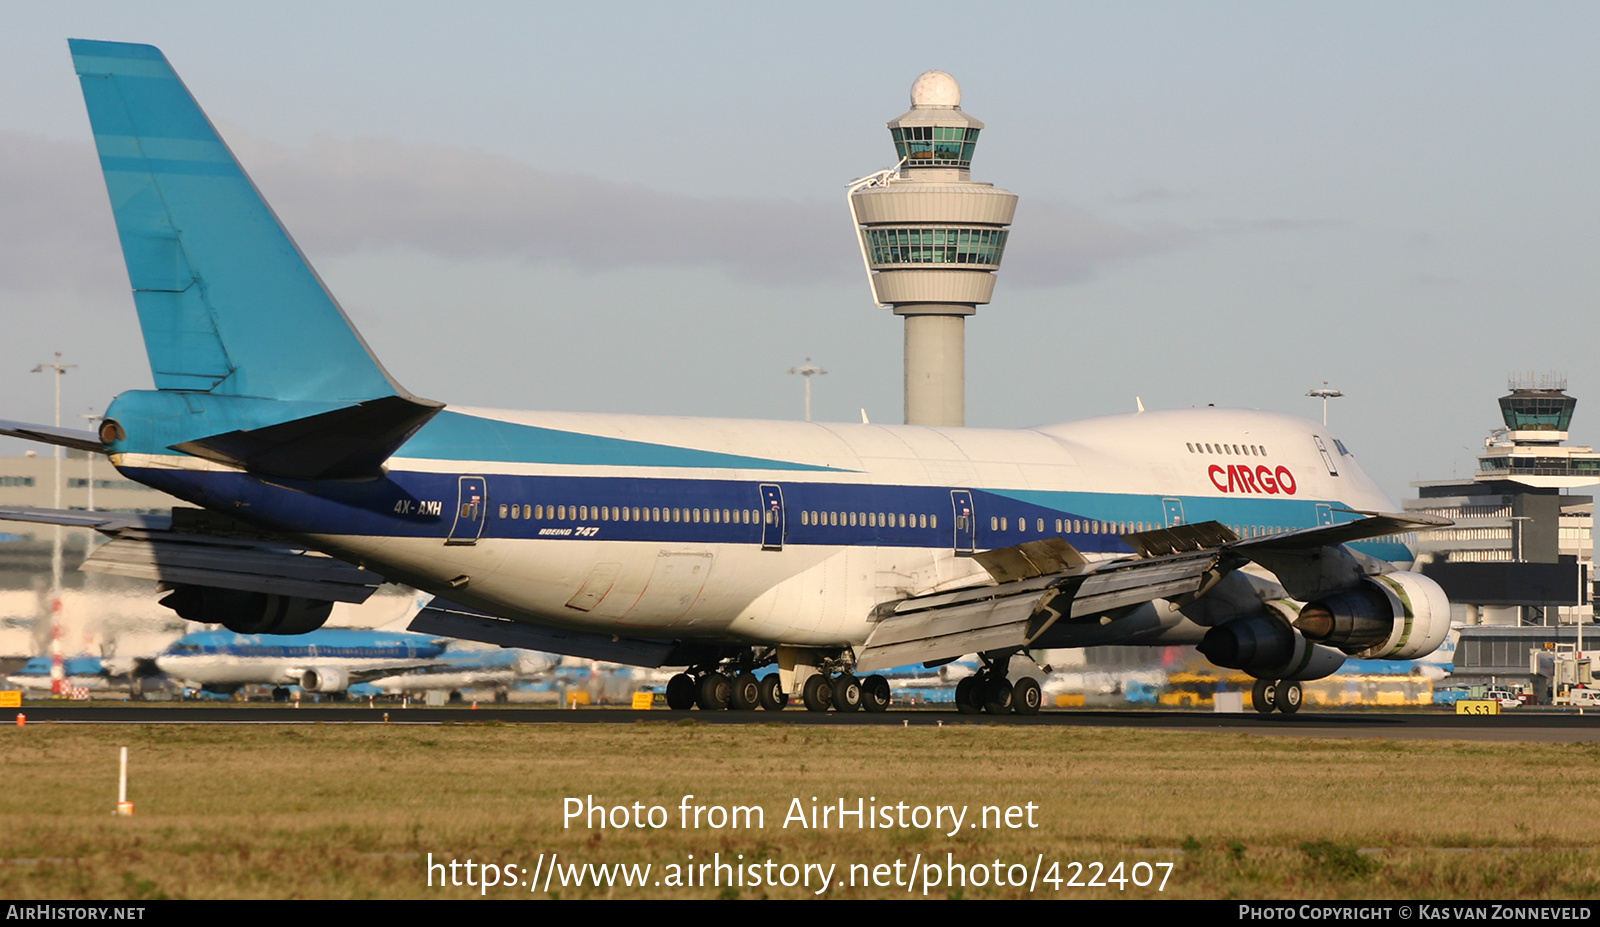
{"x":426,"y":505}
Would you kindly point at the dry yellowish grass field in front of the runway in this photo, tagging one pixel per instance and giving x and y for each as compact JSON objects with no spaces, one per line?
{"x":330,"y":811}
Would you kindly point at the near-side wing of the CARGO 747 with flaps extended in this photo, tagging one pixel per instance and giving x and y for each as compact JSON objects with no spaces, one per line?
{"x":1046,"y":582}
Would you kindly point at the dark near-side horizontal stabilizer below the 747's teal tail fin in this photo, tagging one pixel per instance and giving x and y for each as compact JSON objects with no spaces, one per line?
{"x":348,"y":443}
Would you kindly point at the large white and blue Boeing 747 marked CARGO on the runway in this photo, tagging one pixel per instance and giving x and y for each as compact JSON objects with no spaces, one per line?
{"x":721,"y":547}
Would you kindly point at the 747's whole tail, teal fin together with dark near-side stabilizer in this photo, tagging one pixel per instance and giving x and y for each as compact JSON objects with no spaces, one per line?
{"x":255,"y":363}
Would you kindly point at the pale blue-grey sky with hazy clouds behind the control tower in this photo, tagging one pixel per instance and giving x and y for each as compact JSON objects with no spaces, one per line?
{"x":626,"y":207}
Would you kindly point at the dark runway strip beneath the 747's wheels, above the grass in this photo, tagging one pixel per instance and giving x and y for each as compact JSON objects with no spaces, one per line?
{"x":1514,"y":726}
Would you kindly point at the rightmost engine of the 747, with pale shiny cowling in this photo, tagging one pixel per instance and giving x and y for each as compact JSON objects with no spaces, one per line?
{"x":1390,"y":617}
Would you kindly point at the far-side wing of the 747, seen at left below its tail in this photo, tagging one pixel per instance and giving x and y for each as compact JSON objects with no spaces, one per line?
{"x":198,"y":548}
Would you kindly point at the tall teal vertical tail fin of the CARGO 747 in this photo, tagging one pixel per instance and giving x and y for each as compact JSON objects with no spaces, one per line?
{"x":226,"y":300}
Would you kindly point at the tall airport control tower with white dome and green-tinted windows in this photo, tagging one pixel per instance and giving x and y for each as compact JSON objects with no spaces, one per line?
{"x":932,"y":241}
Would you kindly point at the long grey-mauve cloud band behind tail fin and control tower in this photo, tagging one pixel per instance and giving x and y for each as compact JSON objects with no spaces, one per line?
{"x":364,"y":196}
